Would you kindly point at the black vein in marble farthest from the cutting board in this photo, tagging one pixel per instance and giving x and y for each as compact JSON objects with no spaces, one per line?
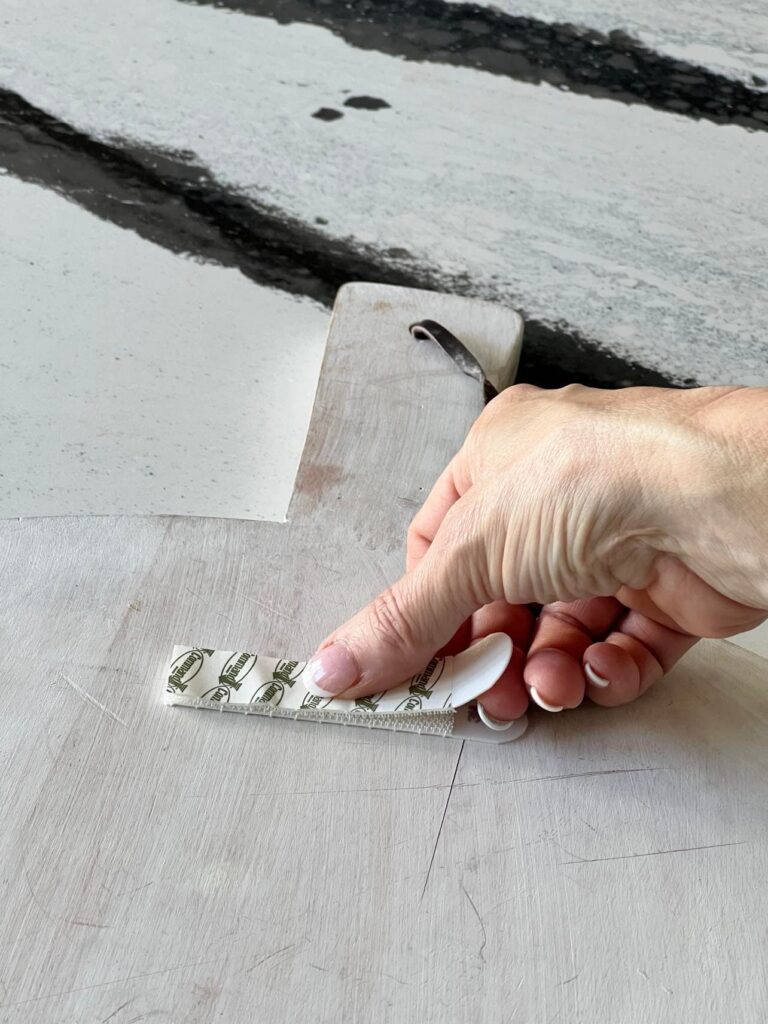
{"x":614,"y":66}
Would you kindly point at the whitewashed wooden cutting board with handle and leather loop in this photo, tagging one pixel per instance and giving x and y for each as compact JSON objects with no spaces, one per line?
{"x":165,"y":865}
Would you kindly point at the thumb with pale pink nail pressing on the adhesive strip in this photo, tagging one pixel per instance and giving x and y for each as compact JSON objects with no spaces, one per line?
{"x":396,"y":636}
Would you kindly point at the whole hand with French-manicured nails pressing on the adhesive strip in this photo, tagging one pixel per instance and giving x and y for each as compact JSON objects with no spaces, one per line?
{"x":636,"y":519}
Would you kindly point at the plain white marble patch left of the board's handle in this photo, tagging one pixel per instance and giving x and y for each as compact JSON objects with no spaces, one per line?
{"x":136,"y":381}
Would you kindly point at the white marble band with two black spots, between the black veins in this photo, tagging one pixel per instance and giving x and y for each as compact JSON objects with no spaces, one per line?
{"x":645,"y":231}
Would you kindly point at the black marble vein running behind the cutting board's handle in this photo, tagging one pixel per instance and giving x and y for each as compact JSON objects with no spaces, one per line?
{"x":173,"y":202}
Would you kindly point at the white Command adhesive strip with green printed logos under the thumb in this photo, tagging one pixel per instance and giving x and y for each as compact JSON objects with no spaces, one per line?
{"x":436,"y":701}
